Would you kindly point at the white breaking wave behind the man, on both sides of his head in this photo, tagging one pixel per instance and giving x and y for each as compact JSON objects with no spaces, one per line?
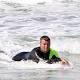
{"x":11,"y":47}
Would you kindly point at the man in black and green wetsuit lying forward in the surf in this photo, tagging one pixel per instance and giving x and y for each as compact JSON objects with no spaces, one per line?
{"x":44,"y":52}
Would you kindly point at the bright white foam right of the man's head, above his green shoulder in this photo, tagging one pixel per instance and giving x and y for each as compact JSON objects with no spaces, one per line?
{"x":69,"y":45}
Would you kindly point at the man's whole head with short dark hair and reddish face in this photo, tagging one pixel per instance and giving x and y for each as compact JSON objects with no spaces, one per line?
{"x":45,"y":44}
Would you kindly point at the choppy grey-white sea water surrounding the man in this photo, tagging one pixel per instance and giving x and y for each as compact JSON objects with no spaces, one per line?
{"x":23,"y":22}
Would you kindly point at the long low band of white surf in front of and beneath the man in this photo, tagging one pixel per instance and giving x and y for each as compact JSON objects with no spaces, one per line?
{"x":29,"y":64}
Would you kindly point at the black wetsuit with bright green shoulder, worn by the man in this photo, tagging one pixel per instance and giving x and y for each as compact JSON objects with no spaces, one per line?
{"x":36,"y":54}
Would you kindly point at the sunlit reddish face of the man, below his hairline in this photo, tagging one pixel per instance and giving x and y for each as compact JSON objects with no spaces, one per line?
{"x":44,"y":46}
